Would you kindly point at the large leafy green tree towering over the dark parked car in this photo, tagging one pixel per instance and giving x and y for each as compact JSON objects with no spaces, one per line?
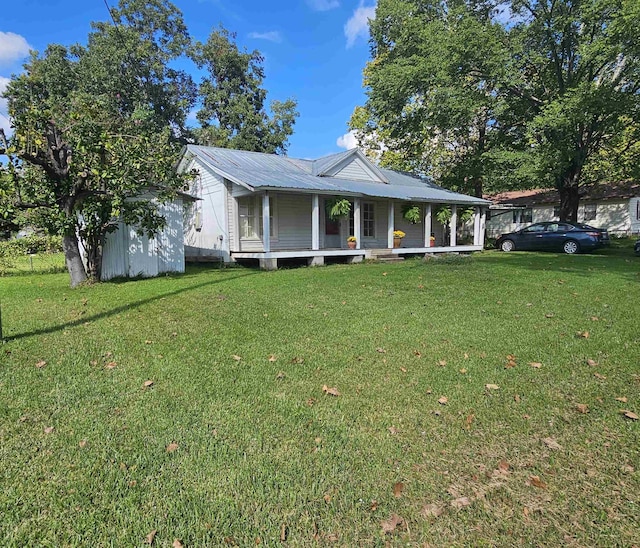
{"x":534,"y":101}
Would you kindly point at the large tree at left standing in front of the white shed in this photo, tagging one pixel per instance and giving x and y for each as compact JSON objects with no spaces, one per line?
{"x":96,"y":126}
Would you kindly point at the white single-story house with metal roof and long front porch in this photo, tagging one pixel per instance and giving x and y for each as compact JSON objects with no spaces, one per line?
{"x":269,"y":207}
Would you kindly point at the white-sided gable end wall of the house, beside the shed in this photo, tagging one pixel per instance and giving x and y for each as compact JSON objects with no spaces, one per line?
{"x":210,"y":214}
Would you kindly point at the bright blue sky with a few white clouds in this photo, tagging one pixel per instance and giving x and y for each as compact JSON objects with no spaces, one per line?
{"x":314,"y":51}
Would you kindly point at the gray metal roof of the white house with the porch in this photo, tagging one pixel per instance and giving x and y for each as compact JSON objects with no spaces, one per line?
{"x":269,"y":171}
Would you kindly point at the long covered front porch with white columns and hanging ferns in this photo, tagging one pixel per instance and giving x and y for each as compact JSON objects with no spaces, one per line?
{"x":371,"y":222}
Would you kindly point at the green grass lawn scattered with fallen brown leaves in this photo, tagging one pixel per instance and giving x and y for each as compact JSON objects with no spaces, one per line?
{"x":479,"y":404}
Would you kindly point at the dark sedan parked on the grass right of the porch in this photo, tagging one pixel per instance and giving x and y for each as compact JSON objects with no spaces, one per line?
{"x":554,"y":236}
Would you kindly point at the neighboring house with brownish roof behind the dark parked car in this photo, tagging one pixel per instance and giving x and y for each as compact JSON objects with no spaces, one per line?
{"x":614,"y":206}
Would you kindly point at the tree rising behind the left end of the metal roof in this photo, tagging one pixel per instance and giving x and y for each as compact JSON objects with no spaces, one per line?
{"x":233,"y":111}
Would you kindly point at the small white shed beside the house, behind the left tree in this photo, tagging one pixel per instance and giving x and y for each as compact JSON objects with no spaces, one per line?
{"x":129,"y":254}
